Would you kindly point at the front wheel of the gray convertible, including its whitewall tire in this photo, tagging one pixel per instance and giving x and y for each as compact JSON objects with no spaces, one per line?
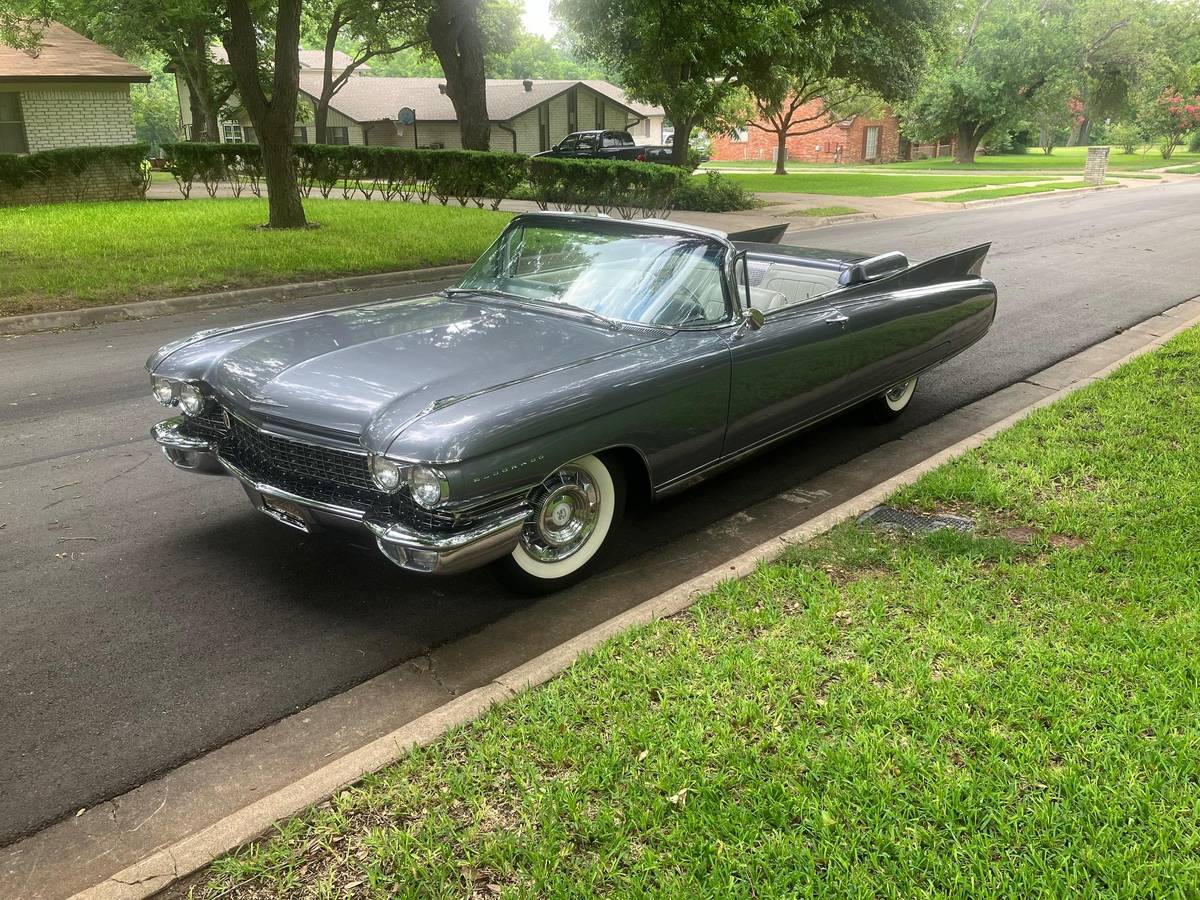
{"x":574,"y":513}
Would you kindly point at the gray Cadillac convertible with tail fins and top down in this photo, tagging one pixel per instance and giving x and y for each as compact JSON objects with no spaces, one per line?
{"x":505,"y":421}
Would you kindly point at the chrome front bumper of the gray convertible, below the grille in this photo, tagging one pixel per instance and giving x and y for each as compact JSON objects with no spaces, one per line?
{"x":430,"y":554}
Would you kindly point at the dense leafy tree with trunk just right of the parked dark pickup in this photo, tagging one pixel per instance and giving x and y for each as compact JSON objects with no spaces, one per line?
{"x":685,"y":56}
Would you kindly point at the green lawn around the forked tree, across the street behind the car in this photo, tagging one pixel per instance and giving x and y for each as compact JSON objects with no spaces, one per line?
{"x":82,"y":255}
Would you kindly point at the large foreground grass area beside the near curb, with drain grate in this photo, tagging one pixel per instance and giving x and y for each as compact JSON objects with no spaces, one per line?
{"x":1009,"y":712}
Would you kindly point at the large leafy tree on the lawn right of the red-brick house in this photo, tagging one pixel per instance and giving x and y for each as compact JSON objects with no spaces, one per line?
{"x":1004,"y":55}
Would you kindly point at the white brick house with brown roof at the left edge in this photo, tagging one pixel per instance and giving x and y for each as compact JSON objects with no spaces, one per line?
{"x":70,"y":93}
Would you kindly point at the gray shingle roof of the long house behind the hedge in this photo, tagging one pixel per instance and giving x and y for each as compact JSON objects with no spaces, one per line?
{"x":369,"y":99}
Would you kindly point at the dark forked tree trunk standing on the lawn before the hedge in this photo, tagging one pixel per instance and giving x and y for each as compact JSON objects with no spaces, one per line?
{"x":274,"y":117}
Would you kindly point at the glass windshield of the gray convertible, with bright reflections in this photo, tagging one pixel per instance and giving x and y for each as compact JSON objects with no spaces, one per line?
{"x":649,"y":278}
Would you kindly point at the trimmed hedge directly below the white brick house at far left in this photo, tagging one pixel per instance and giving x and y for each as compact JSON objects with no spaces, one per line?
{"x":77,"y":167}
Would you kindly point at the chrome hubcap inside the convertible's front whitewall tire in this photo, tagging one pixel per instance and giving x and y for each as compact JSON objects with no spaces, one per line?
{"x":567,"y":508}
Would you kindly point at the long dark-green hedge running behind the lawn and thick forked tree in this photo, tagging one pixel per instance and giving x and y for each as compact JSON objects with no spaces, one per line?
{"x":465,"y":176}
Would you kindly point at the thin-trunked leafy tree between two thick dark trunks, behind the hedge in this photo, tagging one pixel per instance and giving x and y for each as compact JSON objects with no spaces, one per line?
{"x":370,"y":28}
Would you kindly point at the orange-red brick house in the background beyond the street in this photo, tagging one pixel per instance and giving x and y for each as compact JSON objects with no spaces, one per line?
{"x":855,"y":140}
